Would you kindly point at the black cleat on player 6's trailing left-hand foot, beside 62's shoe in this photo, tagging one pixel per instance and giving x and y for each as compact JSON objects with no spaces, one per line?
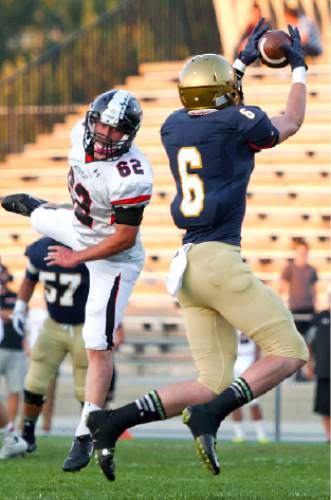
{"x":105,"y":432}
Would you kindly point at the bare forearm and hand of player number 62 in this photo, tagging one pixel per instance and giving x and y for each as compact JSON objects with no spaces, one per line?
{"x":122,"y":239}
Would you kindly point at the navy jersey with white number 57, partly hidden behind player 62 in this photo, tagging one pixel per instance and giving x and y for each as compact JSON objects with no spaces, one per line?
{"x":66,"y":290}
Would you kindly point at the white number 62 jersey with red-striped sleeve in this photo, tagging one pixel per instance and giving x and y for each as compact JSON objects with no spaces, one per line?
{"x":96,"y":187}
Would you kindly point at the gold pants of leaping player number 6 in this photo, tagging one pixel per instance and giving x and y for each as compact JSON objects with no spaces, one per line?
{"x":220,"y":295}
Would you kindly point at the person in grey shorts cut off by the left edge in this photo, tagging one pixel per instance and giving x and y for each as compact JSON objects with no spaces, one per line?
{"x":12,"y":356}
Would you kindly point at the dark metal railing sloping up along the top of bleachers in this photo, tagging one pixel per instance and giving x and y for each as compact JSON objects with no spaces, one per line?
{"x":98,"y":57}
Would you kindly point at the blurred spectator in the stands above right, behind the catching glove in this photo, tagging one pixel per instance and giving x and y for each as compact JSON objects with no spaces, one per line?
{"x":310,"y":37}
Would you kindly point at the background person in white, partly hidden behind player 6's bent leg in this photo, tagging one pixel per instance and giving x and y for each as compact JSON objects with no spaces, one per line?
{"x":248,"y":353}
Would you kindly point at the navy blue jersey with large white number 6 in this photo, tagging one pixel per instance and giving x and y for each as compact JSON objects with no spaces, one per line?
{"x":211,"y":156}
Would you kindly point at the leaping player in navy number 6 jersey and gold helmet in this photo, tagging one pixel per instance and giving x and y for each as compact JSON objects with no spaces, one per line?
{"x":211,"y":144}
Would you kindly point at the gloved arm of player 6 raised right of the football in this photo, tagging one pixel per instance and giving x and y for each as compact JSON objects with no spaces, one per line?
{"x":289,"y":123}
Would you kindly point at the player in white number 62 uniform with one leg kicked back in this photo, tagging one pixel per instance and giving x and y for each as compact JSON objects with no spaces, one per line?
{"x":110,"y":182}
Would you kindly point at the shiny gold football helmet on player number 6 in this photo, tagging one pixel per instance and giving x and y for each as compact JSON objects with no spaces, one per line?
{"x":208,"y":81}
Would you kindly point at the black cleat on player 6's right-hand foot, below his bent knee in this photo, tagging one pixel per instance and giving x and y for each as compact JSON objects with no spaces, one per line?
{"x":203,"y":427}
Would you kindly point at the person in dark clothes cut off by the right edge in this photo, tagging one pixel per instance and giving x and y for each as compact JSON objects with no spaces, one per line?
{"x":318,"y":339}
